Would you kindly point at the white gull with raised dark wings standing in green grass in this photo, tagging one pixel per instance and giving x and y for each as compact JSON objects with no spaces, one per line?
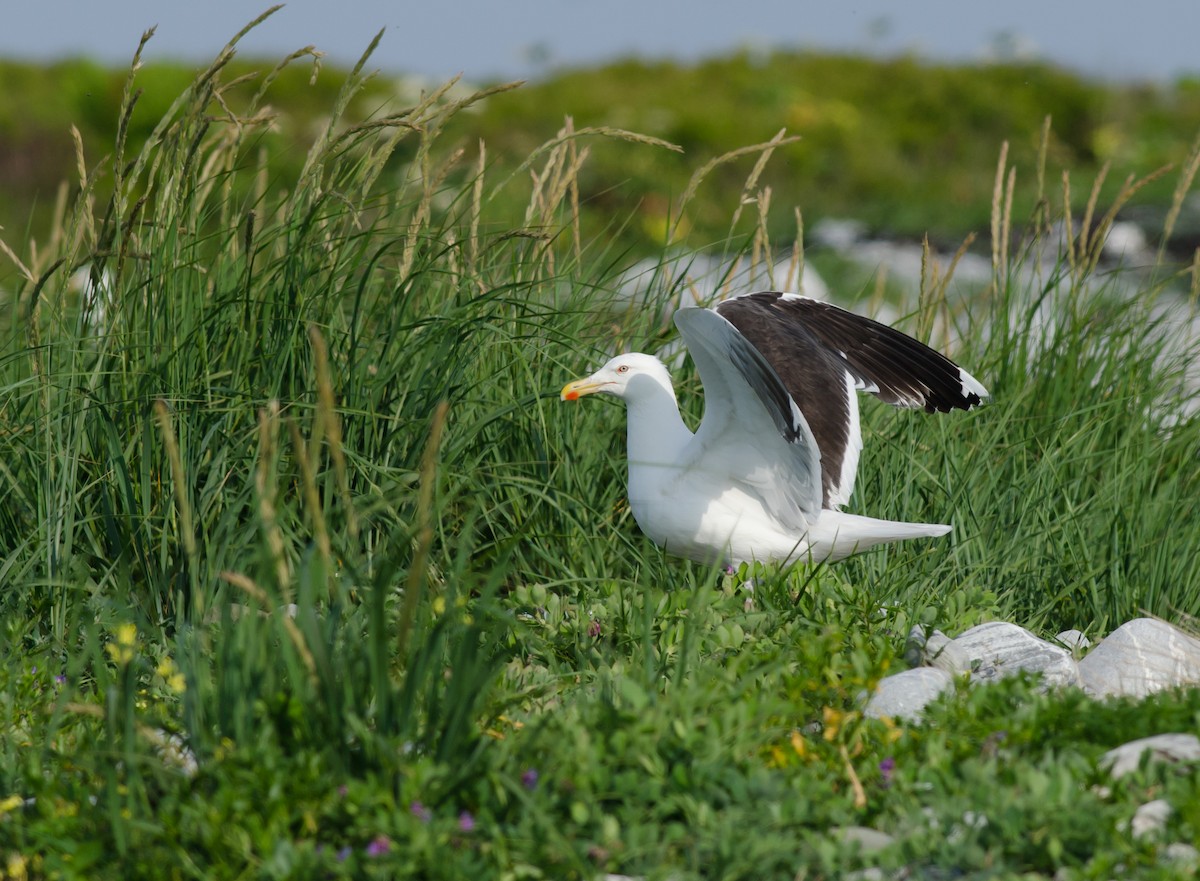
{"x":775,"y":459}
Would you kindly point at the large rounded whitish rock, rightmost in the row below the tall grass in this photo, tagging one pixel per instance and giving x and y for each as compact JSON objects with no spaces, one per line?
{"x":1139,"y":658}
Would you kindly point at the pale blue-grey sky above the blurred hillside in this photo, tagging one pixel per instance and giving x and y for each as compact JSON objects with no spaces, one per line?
{"x":491,"y":39}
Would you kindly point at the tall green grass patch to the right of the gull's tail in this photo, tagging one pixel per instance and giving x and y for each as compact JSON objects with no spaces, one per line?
{"x":1072,"y":492}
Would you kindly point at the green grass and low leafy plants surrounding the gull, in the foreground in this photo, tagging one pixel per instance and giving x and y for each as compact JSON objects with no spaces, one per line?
{"x":337,"y":391}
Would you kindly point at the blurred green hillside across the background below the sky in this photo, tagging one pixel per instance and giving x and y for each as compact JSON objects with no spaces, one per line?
{"x":905,"y":146}
